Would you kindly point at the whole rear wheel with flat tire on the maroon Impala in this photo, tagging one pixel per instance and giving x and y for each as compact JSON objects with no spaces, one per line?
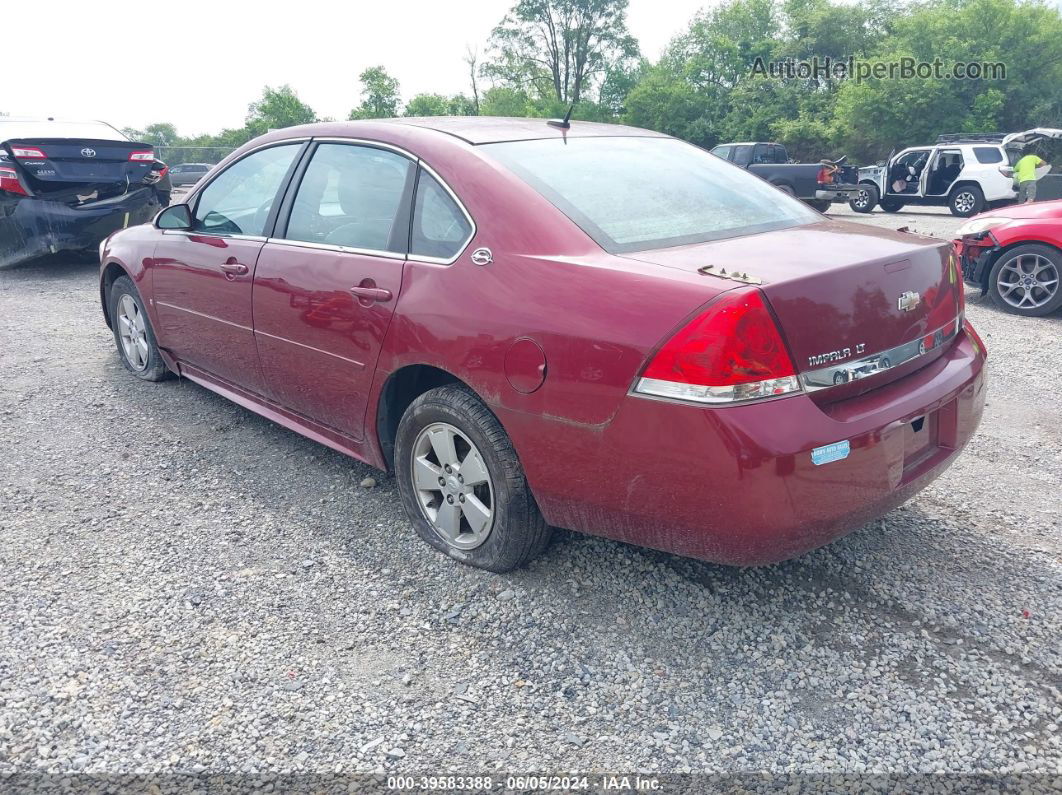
{"x":448,"y":510}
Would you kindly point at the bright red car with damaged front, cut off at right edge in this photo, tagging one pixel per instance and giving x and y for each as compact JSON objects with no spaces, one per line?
{"x":1015,"y":254}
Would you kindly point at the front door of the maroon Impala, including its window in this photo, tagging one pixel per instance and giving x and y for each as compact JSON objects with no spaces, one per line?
{"x":202,"y":276}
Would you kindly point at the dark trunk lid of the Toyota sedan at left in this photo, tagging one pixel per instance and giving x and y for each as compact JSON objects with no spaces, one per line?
{"x":79,"y":170}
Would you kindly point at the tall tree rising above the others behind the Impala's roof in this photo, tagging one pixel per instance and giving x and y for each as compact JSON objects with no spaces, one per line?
{"x":558,"y":49}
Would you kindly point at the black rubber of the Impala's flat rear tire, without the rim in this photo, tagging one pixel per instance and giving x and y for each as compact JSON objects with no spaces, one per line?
{"x":519,"y":533}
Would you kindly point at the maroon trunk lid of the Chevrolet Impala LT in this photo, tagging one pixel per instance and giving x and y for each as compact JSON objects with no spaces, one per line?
{"x":850,"y":300}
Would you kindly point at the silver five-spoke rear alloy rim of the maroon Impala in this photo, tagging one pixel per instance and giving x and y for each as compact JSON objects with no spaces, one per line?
{"x":454,"y":488}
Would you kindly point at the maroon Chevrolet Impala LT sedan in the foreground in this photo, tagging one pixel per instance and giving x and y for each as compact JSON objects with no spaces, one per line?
{"x":539,"y":325}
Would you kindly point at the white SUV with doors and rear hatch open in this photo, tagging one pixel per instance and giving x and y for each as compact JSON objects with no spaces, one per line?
{"x":964,"y":172}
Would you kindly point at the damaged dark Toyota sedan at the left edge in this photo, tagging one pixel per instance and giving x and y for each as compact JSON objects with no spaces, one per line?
{"x":66,"y":185}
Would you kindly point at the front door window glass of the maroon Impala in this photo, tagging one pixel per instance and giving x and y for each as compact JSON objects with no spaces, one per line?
{"x":238,"y":202}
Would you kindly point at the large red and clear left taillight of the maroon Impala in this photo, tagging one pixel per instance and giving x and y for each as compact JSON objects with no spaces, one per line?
{"x":731,"y":353}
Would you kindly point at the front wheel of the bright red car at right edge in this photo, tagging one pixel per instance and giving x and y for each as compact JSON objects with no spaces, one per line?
{"x":1042,"y":264}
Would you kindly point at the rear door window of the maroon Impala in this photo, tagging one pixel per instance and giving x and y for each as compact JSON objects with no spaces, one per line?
{"x":353,"y":197}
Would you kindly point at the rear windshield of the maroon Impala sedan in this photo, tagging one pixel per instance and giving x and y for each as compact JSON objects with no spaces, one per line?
{"x":632,"y":195}
